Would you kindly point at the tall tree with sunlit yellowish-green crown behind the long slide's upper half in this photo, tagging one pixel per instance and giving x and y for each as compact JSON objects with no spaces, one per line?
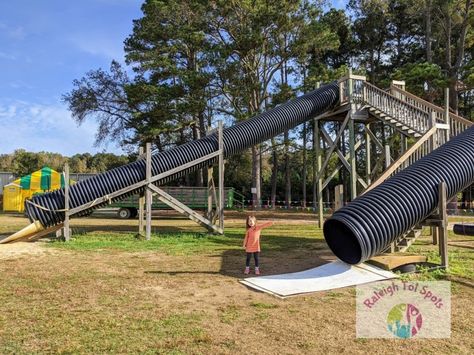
{"x":252,"y":41}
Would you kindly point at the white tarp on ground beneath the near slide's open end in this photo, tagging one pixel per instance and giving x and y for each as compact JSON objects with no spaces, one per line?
{"x":329,"y":276}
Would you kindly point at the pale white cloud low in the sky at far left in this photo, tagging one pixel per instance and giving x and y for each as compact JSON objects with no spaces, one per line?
{"x":37,"y":127}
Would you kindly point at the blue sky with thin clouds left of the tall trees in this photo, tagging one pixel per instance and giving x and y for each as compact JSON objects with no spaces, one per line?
{"x":44,"y":46}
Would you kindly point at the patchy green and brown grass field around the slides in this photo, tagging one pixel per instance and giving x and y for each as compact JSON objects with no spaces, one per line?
{"x":108,"y":292}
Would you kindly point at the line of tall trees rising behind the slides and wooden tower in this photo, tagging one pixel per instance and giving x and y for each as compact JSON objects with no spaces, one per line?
{"x":190,"y":63}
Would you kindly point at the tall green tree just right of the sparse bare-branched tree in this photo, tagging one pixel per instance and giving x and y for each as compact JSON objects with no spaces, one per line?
{"x":171,"y":54}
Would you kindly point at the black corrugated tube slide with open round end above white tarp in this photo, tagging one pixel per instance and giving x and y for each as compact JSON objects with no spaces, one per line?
{"x":367,"y":226}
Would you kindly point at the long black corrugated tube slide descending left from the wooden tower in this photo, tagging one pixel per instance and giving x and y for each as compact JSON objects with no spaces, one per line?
{"x":47,"y":207}
